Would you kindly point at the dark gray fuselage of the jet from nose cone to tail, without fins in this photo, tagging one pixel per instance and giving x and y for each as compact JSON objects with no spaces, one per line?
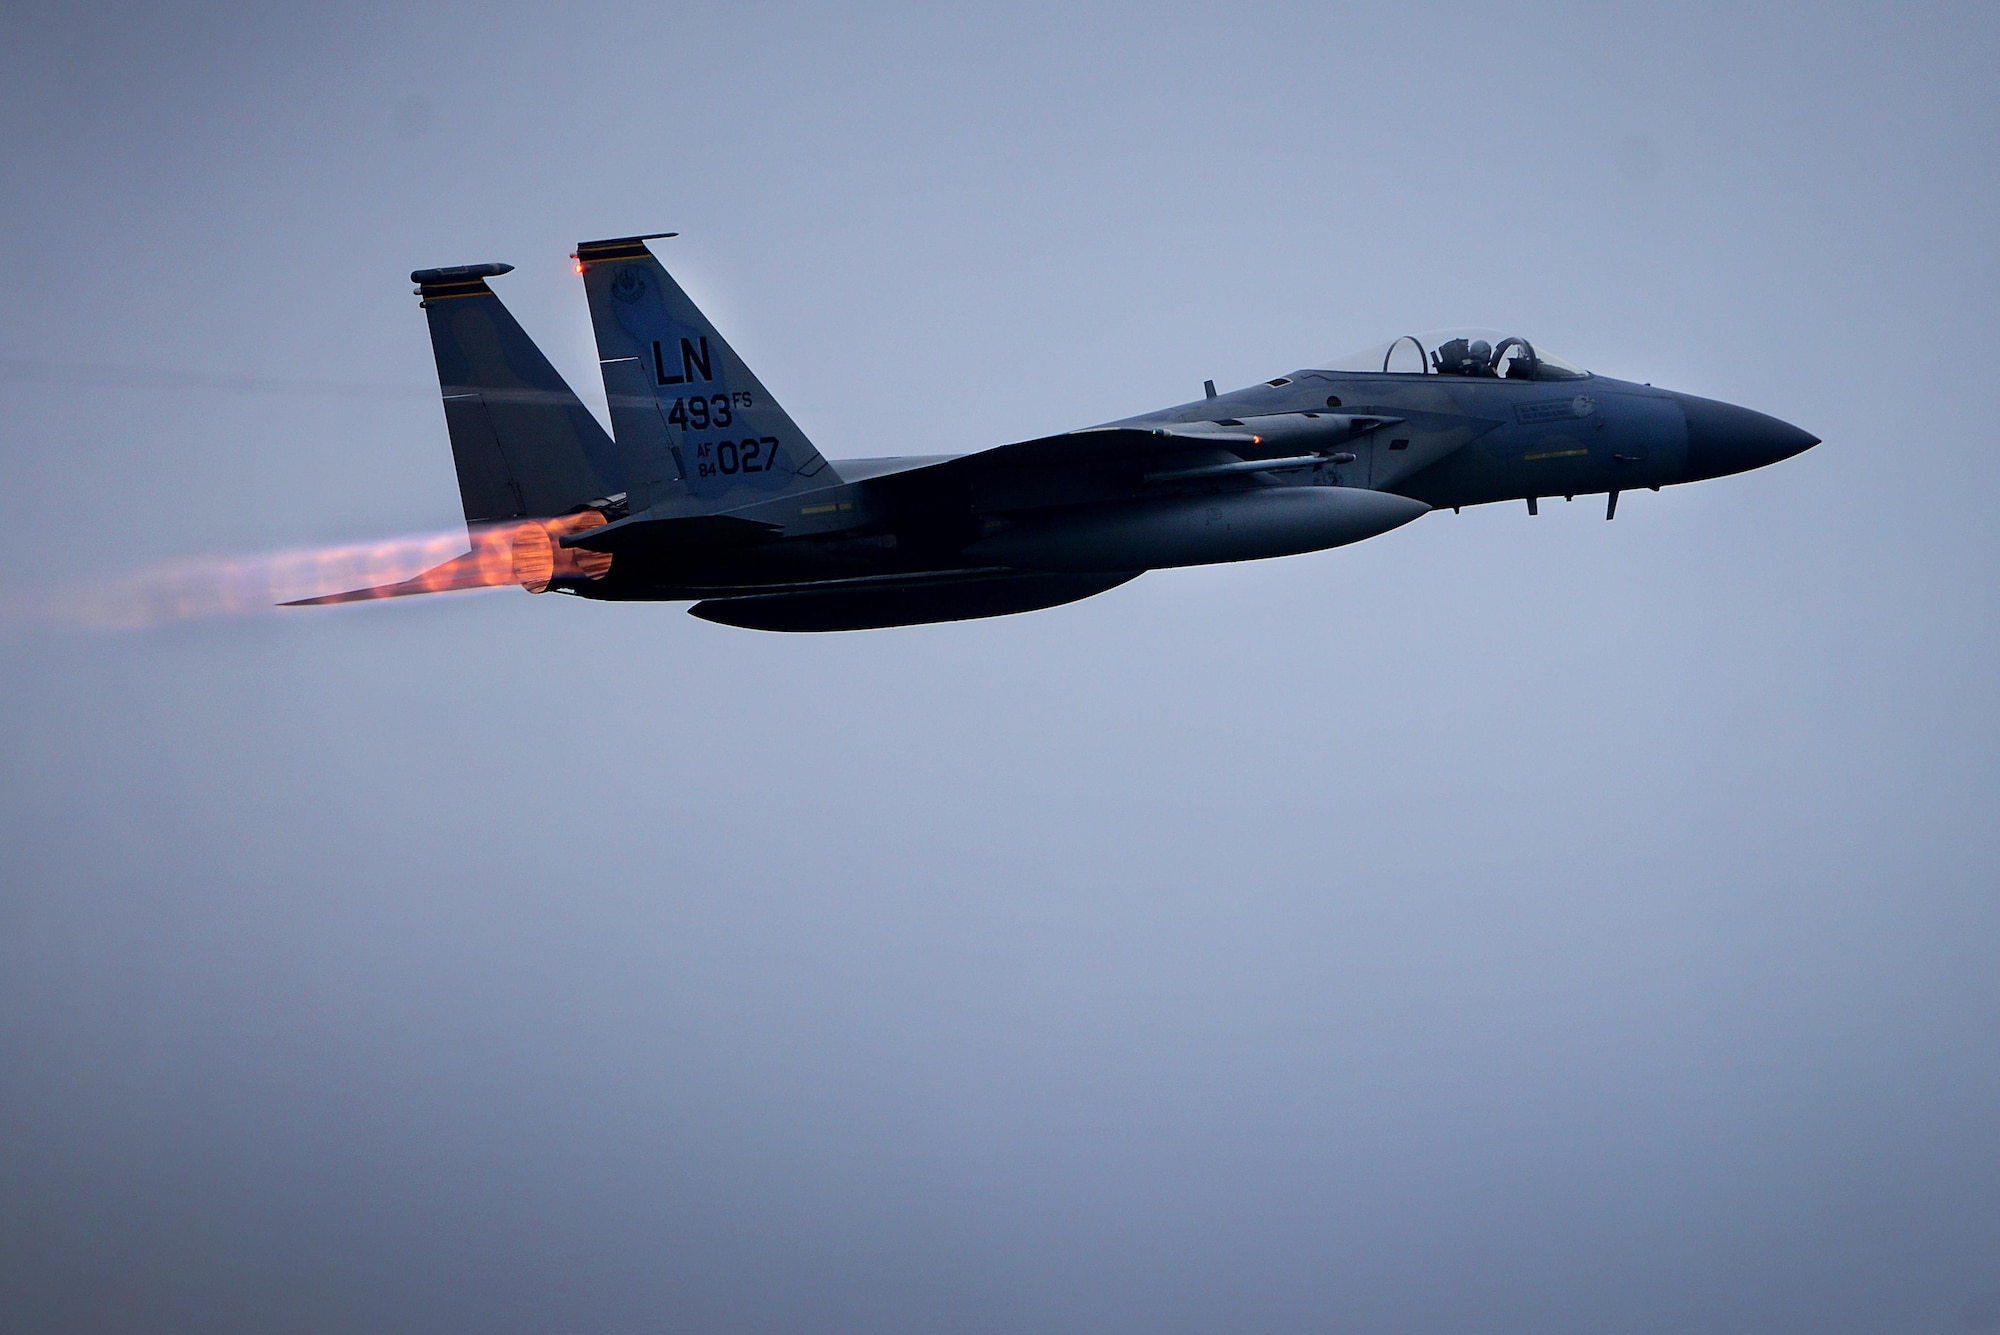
{"x":1163,"y":487}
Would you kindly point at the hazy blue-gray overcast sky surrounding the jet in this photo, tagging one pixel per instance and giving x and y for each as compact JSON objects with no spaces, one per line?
{"x":1499,"y":926}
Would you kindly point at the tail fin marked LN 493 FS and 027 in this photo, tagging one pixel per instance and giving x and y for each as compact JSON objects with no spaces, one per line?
{"x":697,"y":431}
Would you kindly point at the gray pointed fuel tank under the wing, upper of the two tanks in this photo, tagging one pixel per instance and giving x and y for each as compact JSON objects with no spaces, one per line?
{"x":1193,"y":531}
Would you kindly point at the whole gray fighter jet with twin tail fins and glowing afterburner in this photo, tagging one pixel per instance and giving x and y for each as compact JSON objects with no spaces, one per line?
{"x":709,"y":493}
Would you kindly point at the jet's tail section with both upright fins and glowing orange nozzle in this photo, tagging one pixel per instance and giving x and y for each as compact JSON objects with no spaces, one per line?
{"x":695,"y":431}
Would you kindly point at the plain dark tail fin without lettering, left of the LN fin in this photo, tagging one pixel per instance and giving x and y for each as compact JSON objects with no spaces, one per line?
{"x":523,"y":443}
